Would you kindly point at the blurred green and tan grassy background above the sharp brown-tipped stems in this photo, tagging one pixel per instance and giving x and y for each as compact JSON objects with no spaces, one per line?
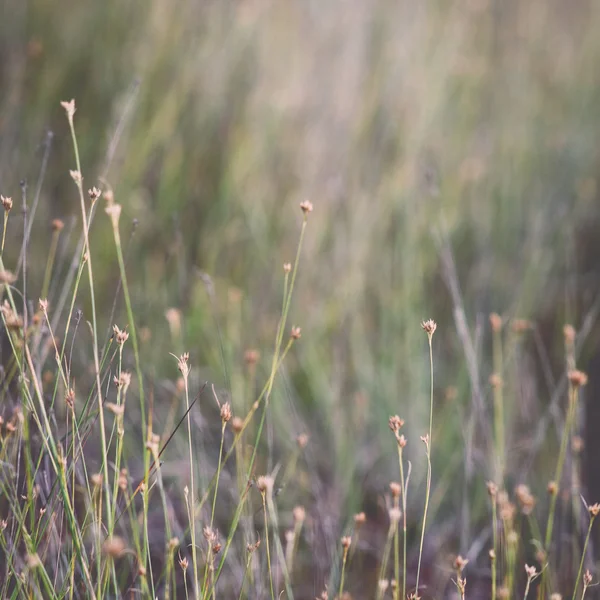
{"x":451,"y":152}
